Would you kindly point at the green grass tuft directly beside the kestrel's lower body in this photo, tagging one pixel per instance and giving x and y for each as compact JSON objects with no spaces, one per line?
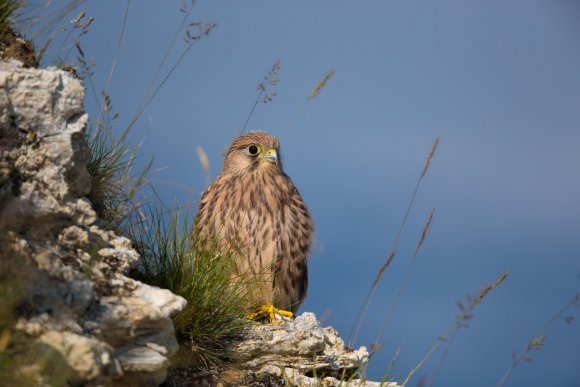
{"x":213,"y":317}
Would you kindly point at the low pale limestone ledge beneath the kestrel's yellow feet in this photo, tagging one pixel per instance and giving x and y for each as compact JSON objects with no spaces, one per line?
{"x":301,"y":352}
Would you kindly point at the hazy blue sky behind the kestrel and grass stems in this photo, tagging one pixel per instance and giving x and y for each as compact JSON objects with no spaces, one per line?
{"x":497,"y":81}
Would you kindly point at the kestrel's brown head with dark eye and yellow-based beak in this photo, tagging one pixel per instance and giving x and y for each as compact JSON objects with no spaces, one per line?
{"x":254,"y":151}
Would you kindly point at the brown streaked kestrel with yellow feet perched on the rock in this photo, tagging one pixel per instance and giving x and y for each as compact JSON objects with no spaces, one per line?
{"x":254,"y":209}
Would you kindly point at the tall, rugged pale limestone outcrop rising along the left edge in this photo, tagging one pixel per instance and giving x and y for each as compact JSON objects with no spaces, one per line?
{"x":77,"y":303}
